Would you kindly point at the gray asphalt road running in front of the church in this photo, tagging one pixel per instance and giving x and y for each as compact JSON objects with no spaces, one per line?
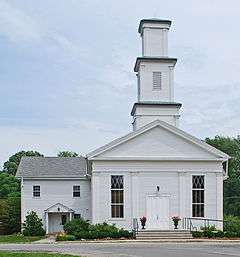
{"x":133,"y":249}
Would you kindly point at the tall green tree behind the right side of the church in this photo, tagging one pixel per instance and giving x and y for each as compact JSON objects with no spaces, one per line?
{"x":231,"y":146}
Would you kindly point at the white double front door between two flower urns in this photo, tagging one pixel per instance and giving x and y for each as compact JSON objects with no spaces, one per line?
{"x":157,"y":212}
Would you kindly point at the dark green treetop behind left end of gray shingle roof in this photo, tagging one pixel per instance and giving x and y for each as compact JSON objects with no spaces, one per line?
{"x":11,"y":165}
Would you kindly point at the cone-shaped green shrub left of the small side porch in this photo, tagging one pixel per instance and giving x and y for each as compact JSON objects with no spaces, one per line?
{"x":33,"y":225}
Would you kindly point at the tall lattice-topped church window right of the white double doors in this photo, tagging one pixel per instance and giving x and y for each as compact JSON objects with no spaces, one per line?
{"x":198,"y":196}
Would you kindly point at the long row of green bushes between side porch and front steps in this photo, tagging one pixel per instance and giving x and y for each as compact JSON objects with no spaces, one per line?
{"x":82,"y":229}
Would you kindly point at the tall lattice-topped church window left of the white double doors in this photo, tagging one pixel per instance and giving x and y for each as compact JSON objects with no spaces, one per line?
{"x":117,"y":195}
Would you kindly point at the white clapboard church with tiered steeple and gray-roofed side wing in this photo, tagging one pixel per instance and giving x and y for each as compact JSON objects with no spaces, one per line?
{"x":157,"y":170}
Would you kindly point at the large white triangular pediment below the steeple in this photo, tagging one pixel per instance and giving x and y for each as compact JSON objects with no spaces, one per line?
{"x":158,"y":140}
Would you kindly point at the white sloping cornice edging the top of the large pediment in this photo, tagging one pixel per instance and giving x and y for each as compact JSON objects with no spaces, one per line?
{"x":197,"y":142}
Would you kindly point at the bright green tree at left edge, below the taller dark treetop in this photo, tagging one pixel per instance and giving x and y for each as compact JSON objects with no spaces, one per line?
{"x":9,"y":184}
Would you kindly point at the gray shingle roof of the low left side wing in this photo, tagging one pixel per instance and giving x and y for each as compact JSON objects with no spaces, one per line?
{"x":43,"y":167}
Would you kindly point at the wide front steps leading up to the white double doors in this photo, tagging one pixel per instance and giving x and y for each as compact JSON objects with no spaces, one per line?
{"x":163,"y":234}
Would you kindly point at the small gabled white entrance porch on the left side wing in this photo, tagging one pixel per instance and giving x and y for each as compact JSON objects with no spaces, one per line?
{"x":56,"y":216}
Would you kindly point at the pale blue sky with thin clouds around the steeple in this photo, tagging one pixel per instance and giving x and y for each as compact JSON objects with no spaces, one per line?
{"x":66,"y":70}
